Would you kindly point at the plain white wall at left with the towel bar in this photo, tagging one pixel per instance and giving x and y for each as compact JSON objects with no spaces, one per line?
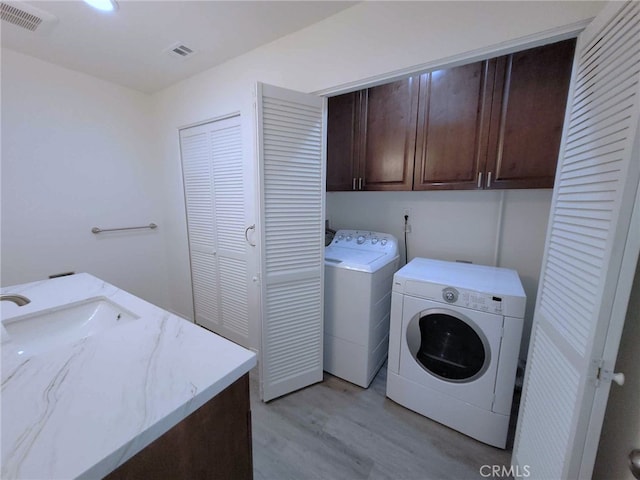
{"x":78,"y":152}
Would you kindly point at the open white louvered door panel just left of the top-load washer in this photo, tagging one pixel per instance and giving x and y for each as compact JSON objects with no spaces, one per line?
{"x":291,"y":157}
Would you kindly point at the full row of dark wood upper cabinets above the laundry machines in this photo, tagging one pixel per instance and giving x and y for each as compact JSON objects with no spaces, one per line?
{"x":485,"y":125}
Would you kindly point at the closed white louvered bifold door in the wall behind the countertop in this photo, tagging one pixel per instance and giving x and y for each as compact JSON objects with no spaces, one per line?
{"x":213,"y":175}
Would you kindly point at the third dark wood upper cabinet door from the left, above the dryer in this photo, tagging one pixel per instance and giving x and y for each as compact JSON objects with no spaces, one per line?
{"x":453,"y":120}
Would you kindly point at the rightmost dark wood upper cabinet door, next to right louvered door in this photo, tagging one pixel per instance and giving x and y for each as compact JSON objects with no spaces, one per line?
{"x":528,"y":110}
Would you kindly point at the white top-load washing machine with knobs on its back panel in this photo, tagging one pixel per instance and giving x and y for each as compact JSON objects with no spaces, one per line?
{"x":359,"y":268}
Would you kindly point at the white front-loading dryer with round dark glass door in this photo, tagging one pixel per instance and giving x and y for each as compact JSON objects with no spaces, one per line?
{"x":454,"y":344}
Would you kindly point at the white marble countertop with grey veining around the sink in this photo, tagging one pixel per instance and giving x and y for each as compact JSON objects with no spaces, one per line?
{"x":81,"y":410}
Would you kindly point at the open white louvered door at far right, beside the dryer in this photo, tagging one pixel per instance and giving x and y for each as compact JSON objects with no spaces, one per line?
{"x":589,"y":225}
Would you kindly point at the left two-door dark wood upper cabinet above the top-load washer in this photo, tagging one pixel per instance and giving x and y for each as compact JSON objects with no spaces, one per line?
{"x":371,"y":138}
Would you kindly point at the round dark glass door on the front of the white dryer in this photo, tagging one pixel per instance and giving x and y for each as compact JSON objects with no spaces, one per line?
{"x":448,"y":345}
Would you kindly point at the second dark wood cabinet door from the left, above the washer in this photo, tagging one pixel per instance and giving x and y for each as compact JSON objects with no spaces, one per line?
{"x":388,"y":133}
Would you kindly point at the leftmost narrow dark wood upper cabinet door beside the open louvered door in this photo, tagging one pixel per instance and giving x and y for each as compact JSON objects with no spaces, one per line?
{"x":342,"y":144}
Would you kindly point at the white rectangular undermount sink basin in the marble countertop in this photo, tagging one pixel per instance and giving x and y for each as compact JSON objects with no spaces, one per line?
{"x":38,"y":332}
